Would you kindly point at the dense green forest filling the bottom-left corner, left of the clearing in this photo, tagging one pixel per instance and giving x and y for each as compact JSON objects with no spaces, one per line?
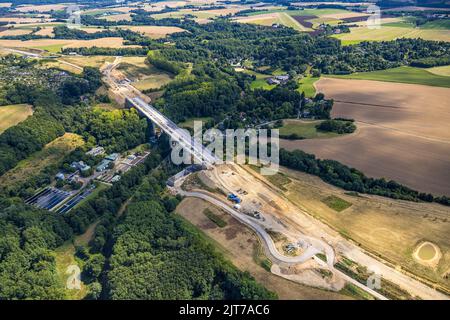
{"x":27,"y":260}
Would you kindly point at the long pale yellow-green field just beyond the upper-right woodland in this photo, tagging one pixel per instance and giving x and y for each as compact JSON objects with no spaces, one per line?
{"x":386,"y":33}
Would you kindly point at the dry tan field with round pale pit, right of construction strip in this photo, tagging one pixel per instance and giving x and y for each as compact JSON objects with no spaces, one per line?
{"x":387,"y":227}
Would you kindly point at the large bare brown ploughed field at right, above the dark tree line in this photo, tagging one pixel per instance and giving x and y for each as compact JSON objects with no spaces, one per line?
{"x":402,"y":134}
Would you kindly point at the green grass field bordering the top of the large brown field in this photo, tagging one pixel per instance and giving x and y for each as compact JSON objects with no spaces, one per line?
{"x":403,"y":75}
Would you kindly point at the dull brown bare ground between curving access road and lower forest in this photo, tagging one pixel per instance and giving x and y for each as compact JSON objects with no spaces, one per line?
{"x":238,"y":243}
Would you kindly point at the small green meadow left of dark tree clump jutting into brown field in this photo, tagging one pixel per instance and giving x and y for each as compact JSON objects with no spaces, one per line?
{"x":304,"y":128}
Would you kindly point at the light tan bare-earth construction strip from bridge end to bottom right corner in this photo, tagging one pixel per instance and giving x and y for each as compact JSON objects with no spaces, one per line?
{"x":283,"y":216}
